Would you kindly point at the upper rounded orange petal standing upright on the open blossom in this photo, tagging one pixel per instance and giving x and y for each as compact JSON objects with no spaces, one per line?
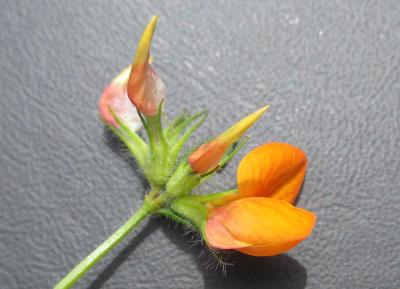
{"x":274,"y":170}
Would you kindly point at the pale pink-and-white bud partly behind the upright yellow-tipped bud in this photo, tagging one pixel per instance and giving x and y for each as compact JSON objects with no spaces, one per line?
{"x":116,"y":98}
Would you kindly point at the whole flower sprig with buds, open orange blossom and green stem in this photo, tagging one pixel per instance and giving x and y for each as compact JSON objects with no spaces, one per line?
{"x":257,"y":218}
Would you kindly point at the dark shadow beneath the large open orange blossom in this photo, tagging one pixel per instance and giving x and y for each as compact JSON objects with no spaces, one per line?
{"x":278,"y":272}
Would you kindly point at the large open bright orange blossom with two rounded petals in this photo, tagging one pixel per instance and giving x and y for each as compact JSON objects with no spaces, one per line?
{"x":259,"y":220}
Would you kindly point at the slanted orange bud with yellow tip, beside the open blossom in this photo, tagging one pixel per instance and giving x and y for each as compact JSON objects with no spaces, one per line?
{"x":208,"y":155}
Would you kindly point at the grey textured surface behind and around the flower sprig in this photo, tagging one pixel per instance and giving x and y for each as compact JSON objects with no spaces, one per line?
{"x":329,"y":69}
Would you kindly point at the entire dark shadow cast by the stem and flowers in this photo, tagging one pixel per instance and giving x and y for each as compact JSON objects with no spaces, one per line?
{"x":278,"y":272}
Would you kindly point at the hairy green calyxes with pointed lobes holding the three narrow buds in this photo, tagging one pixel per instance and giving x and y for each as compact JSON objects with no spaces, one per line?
{"x":162,"y":156}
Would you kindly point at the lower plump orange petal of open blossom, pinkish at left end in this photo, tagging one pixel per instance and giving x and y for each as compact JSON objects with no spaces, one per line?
{"x":258,"y":226}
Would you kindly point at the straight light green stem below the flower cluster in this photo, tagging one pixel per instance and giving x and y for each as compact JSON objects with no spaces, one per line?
{"x":68,"y":281}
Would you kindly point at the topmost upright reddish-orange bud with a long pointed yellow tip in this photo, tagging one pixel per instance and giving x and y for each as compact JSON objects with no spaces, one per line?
{"x":145,"y":88}
